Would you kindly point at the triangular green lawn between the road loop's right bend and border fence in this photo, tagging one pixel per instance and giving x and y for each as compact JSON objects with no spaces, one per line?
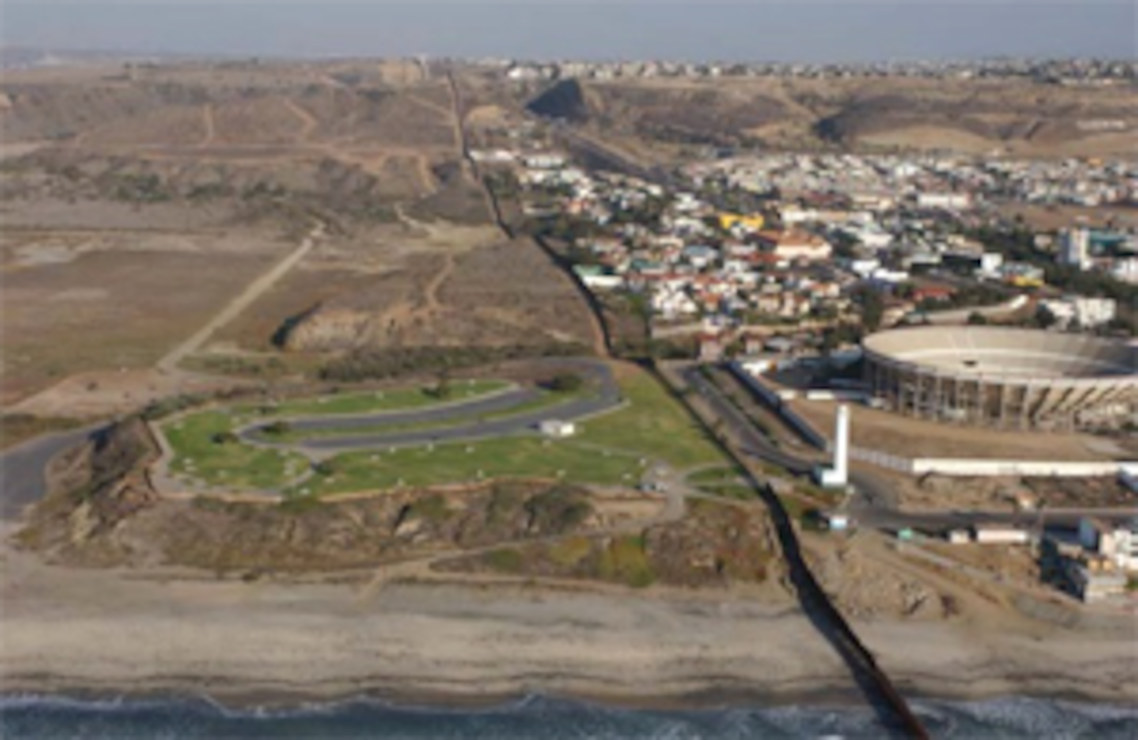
{"x":655,"y":426}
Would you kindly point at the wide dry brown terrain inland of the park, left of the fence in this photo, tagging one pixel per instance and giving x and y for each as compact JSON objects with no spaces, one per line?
{"x":138,"y":203}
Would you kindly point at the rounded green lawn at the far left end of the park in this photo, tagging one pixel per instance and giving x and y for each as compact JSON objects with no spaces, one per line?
{"x":232,"y":466}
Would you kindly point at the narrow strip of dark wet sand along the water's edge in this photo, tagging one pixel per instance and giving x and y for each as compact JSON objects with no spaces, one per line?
{"x":705,"y":695}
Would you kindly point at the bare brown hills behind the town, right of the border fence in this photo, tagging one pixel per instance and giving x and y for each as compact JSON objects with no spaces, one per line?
{"x":1017,"y":118}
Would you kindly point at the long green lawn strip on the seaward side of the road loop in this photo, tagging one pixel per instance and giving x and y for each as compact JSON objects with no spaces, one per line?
{"x":504,"y":458}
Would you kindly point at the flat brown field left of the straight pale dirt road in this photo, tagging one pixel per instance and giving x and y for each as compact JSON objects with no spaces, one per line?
{"x":79,"y":302}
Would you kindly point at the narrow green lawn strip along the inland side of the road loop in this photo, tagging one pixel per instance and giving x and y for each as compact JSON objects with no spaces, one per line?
{"x":381,"y":401}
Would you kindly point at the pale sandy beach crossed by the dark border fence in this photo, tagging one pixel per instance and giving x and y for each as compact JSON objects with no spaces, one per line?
{"x":108,"y":632}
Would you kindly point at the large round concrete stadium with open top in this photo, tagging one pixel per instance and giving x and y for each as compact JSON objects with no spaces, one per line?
{"x":1003,"y":377}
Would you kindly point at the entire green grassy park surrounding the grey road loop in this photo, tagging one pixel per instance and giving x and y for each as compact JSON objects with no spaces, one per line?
{"x":615,"y":449}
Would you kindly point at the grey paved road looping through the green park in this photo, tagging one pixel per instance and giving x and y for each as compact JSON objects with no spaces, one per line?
{"x":598,"y":374}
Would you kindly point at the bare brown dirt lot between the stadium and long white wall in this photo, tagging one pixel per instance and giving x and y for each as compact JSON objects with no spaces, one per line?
{"x":916,"y":439}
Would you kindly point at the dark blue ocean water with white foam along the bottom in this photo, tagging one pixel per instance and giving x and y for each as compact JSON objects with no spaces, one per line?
{"x":543,"y":719}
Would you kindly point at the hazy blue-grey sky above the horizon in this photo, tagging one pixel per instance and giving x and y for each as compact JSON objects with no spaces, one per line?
{"x":757,"y":30}
